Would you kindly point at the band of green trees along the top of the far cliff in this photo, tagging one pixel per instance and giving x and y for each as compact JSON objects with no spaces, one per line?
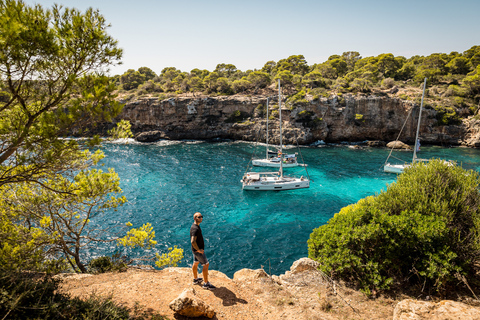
{"x":453,"y":79}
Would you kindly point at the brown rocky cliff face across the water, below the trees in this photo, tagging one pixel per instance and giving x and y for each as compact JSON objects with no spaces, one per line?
{"x":338,"y":118}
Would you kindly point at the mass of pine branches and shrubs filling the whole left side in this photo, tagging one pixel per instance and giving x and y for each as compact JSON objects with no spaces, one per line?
{"x":51,"y":84}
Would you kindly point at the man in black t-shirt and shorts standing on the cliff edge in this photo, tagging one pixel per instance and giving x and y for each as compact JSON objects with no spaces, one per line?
{"x":198,"y":247}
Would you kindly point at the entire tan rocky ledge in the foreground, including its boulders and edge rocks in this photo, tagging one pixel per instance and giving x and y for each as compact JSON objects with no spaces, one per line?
{"x":303,"y":292}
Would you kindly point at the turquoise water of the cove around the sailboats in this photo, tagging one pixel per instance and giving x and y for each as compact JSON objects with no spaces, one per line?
{"x":166,"y":183}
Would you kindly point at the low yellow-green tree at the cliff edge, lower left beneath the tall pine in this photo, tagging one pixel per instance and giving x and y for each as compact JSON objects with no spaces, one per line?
{"x":58,"y":213}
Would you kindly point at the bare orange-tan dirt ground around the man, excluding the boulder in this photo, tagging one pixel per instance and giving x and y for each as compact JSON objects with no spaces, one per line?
{"x":302,"y":296}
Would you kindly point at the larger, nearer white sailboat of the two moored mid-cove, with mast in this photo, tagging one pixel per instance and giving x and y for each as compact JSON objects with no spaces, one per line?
{"x":267,"y":181}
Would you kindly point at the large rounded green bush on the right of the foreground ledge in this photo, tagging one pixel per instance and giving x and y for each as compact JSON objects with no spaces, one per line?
{"x":424,"y":229}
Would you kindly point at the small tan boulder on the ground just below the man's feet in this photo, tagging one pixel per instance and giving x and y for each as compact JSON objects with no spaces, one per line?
{"x":187,"y":304}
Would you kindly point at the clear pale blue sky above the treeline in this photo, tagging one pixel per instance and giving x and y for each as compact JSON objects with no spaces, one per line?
{"x":189,"y":34}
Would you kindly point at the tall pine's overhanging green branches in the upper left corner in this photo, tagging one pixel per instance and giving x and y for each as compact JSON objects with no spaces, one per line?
{"x":67,"y":49}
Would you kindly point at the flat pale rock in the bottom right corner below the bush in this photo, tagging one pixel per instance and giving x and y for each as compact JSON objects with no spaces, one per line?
{"x":444,"y":310}
